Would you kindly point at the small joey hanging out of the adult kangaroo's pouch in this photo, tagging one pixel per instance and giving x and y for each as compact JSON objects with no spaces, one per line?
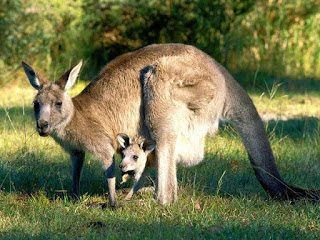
{"x":135,"y":158}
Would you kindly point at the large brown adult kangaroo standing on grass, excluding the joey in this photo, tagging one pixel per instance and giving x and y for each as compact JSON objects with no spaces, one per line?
{"x":175,"y":94}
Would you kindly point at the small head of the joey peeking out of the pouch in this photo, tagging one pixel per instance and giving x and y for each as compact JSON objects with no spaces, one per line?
{"x":134,"y":153}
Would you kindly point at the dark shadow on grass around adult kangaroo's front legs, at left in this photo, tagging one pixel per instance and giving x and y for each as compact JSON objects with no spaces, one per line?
{"x":31,"y":174}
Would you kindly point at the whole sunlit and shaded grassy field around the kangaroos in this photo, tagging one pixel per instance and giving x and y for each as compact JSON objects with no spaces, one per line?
{"x":218,"y":199}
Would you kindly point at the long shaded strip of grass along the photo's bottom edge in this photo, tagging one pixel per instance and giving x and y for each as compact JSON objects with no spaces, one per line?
{"x":117,"y":228}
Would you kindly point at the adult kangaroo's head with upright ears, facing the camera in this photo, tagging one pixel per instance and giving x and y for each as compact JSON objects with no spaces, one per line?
{"x":53,"y":108}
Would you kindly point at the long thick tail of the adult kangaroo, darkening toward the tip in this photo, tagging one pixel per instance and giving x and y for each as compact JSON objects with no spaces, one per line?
{"x":241,"y":112}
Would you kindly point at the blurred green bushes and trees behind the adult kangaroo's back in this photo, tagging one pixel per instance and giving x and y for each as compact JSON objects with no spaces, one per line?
{"x":278,"y":38}
